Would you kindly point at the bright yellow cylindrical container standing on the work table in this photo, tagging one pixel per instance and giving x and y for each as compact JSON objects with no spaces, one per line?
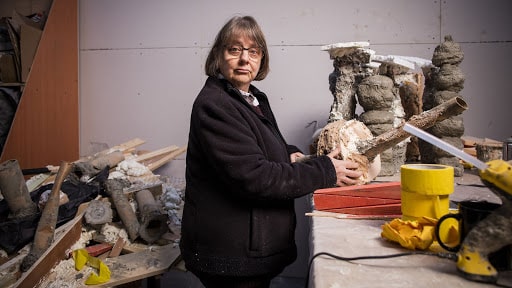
{"x":425,"y":190}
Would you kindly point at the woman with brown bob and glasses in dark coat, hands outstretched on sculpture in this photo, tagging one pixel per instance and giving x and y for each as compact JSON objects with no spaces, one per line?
{"x":242,"y":178}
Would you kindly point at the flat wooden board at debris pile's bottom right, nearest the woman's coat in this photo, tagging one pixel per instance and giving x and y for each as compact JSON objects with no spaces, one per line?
{"x":135,"y":266}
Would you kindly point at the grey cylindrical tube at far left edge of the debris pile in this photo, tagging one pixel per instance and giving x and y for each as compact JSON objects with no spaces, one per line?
{"x":15,"y":191}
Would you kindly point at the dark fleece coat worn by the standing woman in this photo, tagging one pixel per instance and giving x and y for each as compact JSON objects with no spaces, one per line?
{"x":239,"y":216}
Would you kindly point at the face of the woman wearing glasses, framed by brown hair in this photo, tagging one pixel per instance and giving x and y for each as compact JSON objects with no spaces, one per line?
{"x":241,"y":62}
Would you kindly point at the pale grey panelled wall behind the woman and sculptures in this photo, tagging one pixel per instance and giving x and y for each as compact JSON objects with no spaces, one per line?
{"x":141,"y":63}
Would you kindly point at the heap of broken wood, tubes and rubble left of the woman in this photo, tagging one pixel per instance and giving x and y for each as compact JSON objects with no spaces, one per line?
{"x":111,"y":204}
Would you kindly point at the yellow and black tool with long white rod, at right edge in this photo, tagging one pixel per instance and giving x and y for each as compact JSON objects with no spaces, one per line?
{"x":495,"y":231}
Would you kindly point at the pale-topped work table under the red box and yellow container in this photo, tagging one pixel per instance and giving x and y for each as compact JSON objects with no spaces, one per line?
{"x":362,"y":237}
